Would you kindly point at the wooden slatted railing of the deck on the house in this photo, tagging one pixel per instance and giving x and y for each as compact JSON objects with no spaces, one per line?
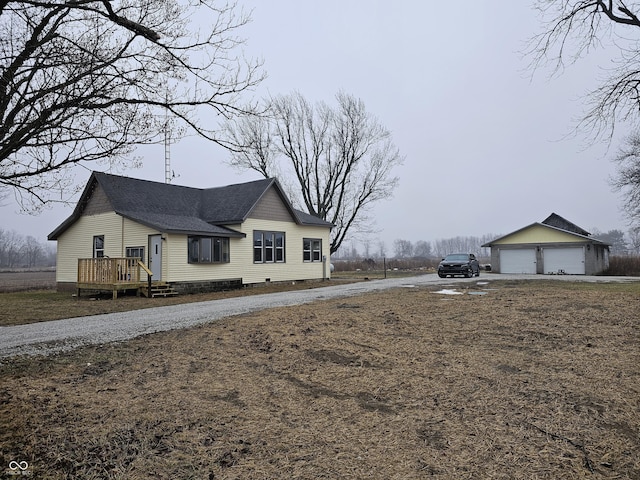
{"x":110,"y":271}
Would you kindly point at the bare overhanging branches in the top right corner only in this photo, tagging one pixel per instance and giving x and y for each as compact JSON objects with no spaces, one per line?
{"x":574,"y":28}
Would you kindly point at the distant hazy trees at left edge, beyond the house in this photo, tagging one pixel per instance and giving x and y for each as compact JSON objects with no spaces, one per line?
{"x":19,"y":251}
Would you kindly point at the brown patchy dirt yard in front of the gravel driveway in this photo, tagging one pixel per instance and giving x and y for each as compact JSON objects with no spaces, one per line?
{"x":531,"y":380}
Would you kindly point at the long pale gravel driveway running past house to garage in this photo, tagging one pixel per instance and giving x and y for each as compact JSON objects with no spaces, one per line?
{"x":60,"y":335}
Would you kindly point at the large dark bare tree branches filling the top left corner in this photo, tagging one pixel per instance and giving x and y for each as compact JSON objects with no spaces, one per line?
{"x":89,"y":80}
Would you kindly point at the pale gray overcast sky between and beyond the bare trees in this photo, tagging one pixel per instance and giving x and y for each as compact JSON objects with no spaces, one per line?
{"x":488,"y":148}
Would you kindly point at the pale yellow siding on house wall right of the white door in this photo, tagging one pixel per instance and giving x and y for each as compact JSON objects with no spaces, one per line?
{"x":178,"y":269}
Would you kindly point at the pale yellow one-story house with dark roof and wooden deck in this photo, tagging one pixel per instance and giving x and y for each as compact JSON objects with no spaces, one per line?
{"x":125,"y":232}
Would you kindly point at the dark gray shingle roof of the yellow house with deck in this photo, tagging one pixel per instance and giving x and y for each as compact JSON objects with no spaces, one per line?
{"x":178,"y":209}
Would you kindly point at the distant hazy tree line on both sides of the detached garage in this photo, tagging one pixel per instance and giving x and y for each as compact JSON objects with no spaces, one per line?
{"x":621,"y":244}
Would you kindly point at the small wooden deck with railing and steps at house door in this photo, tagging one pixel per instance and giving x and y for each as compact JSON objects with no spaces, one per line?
{"x":113,"y":274}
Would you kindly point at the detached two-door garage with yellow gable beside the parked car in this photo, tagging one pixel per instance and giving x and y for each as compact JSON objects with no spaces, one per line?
{"x":554,"y":246}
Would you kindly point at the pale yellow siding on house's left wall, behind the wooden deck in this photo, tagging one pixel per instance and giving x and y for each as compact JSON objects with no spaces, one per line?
{"x":77,"y":241}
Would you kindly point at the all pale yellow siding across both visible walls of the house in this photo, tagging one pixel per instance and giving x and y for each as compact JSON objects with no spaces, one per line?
{"x":120,"y":233}
